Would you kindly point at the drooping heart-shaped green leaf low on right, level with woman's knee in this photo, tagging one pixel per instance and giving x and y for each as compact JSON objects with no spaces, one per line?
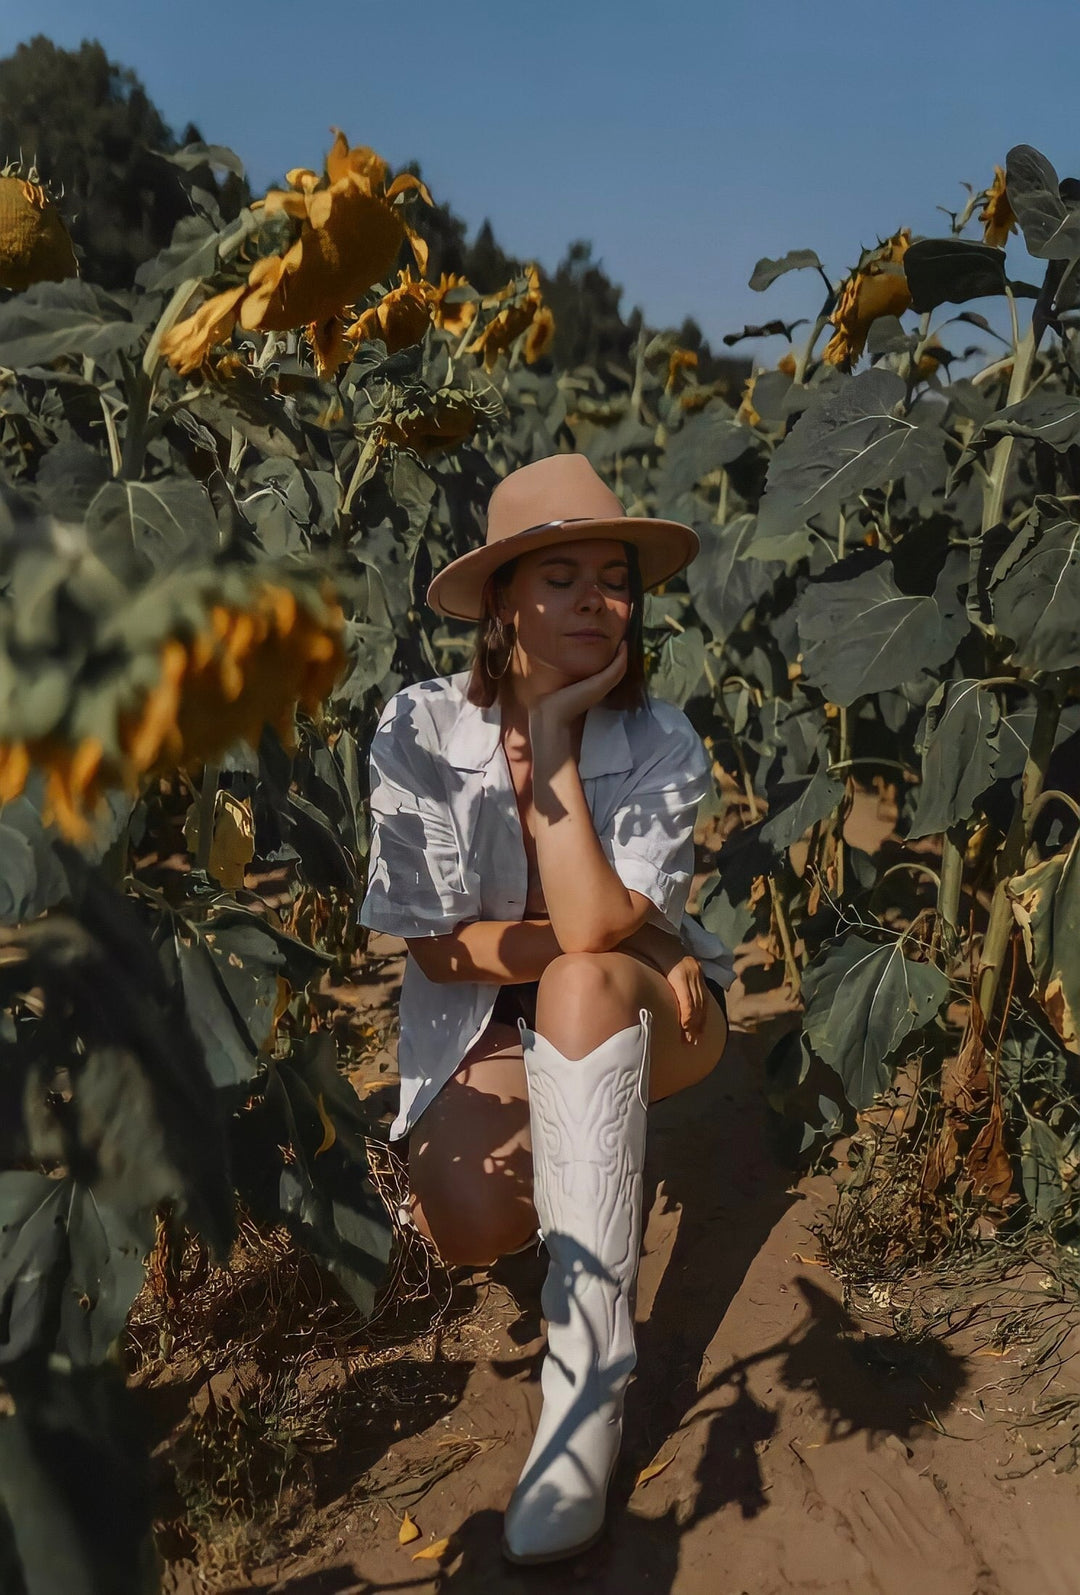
{"x":862,"y":1001}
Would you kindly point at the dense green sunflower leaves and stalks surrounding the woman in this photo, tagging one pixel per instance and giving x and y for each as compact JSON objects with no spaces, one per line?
{"x":886,"y":593}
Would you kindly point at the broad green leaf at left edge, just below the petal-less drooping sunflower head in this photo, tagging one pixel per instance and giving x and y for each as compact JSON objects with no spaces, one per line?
{"x":65,"y":318}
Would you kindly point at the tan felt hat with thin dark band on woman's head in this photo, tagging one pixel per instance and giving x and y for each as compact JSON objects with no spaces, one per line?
{"x":556,"y":500}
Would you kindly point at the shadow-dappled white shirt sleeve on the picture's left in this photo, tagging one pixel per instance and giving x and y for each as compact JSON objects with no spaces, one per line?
{"x":416,"y":880}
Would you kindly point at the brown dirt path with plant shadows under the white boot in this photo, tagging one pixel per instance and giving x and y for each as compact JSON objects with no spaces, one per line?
{"x":802,"y":1451}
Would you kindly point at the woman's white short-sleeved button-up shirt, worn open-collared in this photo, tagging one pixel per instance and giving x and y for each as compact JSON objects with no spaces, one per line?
{"x":447,"y":848}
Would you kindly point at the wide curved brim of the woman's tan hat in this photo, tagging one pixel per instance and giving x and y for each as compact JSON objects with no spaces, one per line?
{"x":664,"y":548}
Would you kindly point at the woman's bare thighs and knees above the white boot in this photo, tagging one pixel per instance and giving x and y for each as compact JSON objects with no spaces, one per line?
{"x":470,"y":1157}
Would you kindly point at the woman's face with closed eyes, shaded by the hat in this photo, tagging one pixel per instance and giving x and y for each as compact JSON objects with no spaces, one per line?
{"x":570,"y":607}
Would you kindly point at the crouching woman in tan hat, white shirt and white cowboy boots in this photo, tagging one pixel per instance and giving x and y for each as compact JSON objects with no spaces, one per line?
{"x":534,"y":845}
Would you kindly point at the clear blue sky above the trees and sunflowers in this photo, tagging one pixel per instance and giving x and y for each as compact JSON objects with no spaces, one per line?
{"x":684,"y":138}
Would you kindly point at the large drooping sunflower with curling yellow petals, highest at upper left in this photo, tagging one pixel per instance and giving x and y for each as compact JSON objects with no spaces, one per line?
{"x":350,"y":237}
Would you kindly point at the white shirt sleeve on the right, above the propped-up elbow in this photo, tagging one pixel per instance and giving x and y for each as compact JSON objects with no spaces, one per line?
{"x":650,"y":841}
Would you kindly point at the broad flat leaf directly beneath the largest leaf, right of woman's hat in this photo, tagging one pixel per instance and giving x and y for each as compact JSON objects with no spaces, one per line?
{"x":862,"y":636}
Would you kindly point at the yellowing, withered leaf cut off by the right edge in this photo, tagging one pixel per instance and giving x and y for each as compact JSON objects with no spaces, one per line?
{"x":1047,"y":908}
